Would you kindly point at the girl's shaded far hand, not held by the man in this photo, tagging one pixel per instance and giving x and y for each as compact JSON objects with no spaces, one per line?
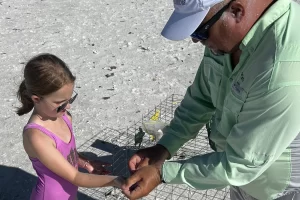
{"x":97,"y":167}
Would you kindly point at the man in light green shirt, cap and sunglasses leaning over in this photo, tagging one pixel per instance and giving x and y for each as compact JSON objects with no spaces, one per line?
{"x":248,"y":84}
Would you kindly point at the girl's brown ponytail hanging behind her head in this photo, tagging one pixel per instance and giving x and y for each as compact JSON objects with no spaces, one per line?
{"x":25,"y":99}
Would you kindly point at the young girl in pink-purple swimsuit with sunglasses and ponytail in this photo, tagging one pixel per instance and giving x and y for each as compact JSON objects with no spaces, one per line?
{"x":48,"y":139}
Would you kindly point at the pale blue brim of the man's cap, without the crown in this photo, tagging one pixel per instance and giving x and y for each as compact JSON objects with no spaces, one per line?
{"x":181,"y":26}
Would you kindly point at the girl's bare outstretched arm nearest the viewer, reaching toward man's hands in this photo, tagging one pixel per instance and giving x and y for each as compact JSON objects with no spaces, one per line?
{"x":42,"y":147}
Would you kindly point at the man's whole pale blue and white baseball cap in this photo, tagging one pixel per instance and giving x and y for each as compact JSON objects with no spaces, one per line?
{"x":187,"y":16}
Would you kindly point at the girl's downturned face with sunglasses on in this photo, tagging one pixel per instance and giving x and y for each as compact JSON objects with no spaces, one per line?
{"x":55,"y":104}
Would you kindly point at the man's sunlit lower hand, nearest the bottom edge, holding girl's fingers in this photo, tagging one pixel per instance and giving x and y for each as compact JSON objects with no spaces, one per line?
{"x":142,"y":182}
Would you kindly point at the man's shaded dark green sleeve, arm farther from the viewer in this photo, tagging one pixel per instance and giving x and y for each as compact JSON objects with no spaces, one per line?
{"x":195,"y":110}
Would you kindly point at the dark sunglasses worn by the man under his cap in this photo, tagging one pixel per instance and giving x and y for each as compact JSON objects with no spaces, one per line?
{"x":202,"y":32}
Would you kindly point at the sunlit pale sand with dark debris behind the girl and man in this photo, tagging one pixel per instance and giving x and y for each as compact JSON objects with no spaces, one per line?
{"x":124,"y":67}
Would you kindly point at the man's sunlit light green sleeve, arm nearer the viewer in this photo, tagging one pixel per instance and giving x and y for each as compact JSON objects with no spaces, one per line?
{"x":267,"y":125}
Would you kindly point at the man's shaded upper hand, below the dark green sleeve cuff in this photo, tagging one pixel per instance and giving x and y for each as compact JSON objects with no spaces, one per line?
{"x":155,"y":155}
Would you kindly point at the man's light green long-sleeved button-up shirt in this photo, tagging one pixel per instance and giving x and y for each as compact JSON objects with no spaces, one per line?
{"x":256,"y":109}
